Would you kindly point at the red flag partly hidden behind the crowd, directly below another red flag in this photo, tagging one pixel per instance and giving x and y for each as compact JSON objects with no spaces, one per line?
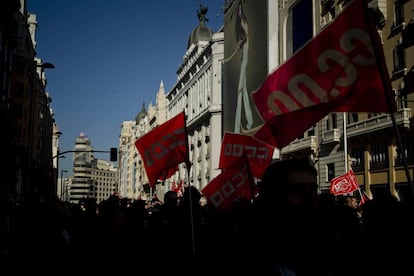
{"x":233,"y":183}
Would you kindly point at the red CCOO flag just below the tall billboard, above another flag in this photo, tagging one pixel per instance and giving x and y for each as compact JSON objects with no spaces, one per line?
{"x":235,"y":145}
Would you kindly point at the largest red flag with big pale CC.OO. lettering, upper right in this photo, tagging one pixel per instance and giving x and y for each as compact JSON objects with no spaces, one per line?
{"x":341,"y":70}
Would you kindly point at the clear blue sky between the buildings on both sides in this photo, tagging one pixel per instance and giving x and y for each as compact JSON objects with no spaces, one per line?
{"x":110,"y":57}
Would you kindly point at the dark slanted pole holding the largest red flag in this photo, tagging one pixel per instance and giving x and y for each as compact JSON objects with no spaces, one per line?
{"x":387,"y":86}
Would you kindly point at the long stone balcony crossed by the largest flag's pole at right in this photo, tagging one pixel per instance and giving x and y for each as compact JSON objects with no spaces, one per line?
{"x":380,"y":122}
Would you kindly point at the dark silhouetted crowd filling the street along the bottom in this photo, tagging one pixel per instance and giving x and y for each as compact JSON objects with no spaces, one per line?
{"x":288,"y":229}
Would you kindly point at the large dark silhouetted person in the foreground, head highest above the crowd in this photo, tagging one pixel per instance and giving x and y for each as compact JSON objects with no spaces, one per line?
{"x":290,"y":239}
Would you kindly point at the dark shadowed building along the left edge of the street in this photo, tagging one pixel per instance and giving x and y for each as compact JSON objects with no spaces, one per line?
{"x":25,"y":111}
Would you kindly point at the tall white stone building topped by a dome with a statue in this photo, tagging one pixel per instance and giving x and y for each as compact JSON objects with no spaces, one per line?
{"x":198,"y":91}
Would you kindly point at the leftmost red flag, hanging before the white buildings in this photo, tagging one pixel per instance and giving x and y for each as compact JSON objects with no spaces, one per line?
{"x":163,"y":148}
